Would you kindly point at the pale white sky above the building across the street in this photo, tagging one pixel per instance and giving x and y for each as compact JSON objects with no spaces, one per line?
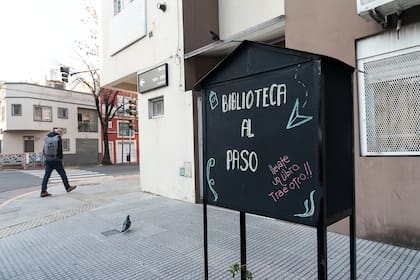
{"x":36,"y":35}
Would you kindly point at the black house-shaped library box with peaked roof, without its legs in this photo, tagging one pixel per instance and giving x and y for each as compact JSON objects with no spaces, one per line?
{"x":278,"y":134}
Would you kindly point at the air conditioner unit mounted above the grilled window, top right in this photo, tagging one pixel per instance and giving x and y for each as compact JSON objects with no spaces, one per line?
{"x":383,"y":7}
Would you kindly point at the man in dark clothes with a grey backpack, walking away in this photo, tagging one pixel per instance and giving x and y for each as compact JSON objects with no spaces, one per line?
{"x":53,"y":152}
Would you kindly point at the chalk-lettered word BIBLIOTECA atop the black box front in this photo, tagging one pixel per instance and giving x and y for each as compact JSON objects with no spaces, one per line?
{"x":274,"y":95}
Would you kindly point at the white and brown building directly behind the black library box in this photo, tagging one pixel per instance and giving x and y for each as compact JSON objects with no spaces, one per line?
{"x":162,"y":48}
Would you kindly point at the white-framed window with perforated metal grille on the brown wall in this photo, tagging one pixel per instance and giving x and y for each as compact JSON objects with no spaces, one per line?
{"x":390,"y":105}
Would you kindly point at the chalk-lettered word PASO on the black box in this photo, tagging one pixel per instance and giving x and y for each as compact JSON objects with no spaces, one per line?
{"x":241,"y":160}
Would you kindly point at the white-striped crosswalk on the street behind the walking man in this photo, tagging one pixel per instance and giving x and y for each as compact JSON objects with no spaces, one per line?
{"x":72,"y":174}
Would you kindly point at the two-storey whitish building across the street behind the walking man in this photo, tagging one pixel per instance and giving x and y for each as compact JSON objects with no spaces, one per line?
{"x":29,"y":111}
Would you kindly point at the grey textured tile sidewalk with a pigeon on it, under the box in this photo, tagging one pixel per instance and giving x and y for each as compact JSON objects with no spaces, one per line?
{"x":75,"y":236}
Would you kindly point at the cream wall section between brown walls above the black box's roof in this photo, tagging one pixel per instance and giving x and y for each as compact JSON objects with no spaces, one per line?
{"x":236,"y":16}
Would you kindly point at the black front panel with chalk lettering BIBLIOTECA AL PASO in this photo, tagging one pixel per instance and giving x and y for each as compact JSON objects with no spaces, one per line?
{"x":262,"y":144}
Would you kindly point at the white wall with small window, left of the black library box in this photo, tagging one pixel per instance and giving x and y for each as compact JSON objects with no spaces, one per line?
{"x":165,"y":142}
